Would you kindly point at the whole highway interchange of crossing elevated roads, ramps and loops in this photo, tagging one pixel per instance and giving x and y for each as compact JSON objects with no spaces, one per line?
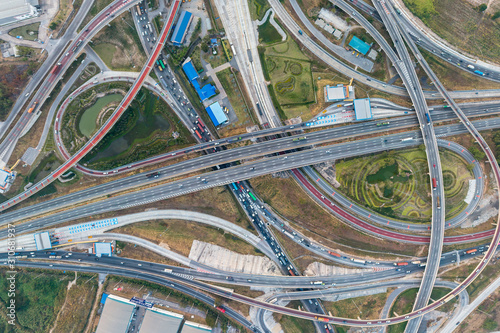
{"x":317,"y":148}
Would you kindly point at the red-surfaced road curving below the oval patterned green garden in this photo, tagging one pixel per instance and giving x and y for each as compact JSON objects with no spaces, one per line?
{"x":383,"y":232}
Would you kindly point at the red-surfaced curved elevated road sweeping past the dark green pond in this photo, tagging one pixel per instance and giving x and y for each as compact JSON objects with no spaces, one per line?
{"x":116,"y":115}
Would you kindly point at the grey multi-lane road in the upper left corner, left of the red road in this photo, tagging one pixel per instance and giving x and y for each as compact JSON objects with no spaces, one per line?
{"x":48,"y":84}
